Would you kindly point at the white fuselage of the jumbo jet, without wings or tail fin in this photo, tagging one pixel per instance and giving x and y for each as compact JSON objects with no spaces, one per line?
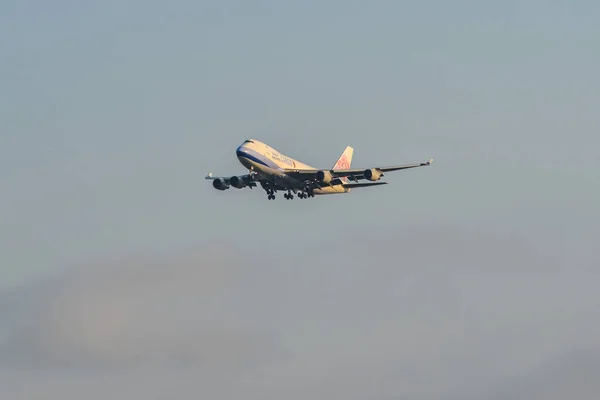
{"x":271,"y":164}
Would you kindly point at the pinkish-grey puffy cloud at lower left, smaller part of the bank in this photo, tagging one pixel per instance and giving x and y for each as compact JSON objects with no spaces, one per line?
{"x":131,"y":313}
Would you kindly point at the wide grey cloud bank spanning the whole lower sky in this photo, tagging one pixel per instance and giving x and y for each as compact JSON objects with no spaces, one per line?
{"x":430,"y":312}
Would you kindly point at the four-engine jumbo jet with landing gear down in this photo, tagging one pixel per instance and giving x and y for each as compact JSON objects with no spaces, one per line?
{"x":275,"y":172}
